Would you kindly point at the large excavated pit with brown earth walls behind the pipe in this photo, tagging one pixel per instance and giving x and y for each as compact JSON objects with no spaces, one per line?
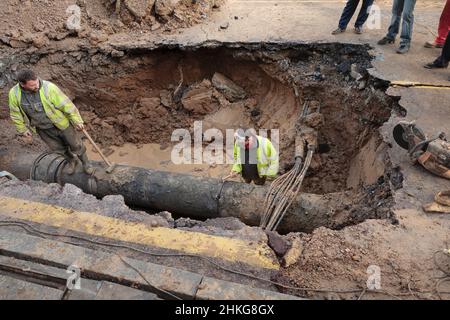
{"x":139,"y":97}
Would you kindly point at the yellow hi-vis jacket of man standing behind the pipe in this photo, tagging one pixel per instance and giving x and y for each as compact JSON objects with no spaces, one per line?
{"x":266,"y":157}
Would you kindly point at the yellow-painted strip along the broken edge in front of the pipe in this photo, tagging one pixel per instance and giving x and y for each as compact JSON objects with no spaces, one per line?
{"x":235,"y":250}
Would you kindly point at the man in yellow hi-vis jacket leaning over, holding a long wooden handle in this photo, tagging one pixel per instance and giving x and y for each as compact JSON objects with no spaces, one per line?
{"x":39,"y":106}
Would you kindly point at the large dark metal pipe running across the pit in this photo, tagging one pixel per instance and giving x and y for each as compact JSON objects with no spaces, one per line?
{"x":180,"y":194}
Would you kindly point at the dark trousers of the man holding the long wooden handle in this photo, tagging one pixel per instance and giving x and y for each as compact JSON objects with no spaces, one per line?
{"x":66,"y":142}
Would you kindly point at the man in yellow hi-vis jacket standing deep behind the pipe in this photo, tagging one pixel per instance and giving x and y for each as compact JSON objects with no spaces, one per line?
{"x":255,"y":158}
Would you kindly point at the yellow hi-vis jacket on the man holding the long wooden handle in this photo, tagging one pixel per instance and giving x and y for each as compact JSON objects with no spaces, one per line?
{"x":57,"y":106}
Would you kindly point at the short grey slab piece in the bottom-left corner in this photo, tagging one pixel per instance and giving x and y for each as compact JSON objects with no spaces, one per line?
{"x":15,"y":289}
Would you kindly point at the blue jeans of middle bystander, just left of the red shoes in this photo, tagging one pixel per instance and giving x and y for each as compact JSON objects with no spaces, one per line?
{"x":402,"y":9}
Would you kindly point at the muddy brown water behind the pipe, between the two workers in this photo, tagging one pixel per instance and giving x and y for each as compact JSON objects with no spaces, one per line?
{"x":151,"y":156}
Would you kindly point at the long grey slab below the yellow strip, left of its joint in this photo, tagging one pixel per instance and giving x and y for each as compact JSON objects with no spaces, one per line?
{"x":104,"y":266}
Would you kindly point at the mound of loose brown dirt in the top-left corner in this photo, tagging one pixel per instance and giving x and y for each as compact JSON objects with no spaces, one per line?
{"x":37,"y":23}
